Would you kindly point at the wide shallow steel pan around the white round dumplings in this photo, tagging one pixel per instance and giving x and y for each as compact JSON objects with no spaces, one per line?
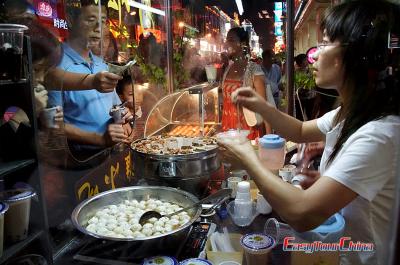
{"x":141,"y":247}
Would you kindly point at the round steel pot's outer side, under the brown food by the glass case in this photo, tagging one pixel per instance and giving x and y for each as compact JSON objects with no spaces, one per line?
{"x":190,"y":172}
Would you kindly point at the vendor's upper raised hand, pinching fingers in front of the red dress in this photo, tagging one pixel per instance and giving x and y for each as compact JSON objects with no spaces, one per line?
{"x":250,"y":99}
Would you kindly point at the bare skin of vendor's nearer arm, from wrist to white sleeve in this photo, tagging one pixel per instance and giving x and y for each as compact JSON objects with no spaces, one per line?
{"x":301,"y":209}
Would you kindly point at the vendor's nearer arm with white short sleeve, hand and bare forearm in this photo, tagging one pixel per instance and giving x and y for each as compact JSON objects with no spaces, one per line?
{"x":357,"y":172}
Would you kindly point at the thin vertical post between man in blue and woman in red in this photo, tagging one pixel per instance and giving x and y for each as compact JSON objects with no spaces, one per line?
{"x":170,"y":47}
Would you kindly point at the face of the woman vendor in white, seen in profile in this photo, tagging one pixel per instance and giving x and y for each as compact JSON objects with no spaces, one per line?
{"x":328,"y":67}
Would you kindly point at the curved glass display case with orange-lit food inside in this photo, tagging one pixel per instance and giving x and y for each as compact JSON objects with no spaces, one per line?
{"x":193,"y":111}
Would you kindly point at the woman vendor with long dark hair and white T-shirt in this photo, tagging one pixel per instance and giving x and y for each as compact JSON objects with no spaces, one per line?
{"x":360,"y":161}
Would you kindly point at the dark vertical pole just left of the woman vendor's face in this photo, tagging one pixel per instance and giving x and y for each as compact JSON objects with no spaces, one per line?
{"x":290,"y":55}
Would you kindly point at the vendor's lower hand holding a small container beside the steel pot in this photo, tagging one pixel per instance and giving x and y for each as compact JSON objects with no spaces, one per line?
{"x":236,"y":154}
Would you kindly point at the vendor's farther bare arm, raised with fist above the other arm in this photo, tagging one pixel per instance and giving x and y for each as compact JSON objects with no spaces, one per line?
{"x":287,"y":126}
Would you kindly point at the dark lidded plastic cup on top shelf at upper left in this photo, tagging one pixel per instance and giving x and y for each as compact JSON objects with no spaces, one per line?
{"x":11,"y":49}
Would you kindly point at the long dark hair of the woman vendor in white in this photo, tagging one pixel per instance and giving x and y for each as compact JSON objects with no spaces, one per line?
{"x":371,"y":69}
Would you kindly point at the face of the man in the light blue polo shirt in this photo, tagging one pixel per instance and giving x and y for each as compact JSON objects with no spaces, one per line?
{"x":87,"y":27}
